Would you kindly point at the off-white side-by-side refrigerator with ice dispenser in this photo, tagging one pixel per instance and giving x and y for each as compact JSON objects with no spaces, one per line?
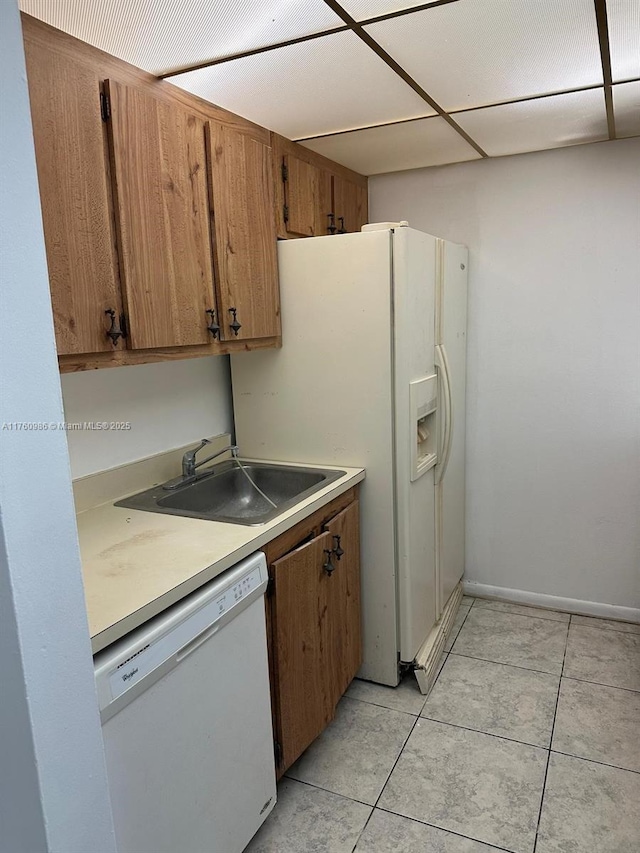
{"x":372,"y":373}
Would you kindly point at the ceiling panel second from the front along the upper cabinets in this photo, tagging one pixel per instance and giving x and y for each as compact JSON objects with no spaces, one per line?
{"x":321,"y":86}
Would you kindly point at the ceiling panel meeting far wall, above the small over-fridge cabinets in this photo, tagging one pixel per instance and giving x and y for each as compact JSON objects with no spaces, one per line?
{"x":395,"y":147}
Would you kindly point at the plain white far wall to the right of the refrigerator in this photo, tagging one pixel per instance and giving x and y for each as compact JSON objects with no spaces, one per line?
{"x":553,"y":423}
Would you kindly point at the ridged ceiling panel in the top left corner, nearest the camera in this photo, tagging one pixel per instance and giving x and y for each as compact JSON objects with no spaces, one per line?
{"x":160,"y":35}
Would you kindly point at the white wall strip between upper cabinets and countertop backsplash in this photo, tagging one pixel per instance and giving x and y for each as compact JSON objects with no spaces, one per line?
{"x":168,"y":405}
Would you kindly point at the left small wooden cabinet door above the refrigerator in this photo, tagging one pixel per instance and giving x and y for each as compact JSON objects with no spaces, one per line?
{"x":307,"y":198}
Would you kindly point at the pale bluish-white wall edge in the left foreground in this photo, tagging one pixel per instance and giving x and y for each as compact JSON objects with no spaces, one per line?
{"x":53,"y":787}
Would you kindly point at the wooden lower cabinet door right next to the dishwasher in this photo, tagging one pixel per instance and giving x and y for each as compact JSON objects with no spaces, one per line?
{"x":305,"y":694}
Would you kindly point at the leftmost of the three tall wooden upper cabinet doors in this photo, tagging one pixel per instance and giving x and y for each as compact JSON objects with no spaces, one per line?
{"x":71,"y":155}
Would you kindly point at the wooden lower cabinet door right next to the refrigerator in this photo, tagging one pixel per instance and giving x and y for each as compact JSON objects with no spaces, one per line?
{"x":344,"y":625}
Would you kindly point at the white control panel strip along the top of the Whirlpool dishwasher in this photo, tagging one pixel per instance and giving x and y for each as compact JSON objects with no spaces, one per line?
{"x":170,"y":637}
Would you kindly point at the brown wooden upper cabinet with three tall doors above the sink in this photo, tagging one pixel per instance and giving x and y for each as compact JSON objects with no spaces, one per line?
{"x":158,"y":218}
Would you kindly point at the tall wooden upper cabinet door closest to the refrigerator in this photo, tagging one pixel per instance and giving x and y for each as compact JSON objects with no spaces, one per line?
{"x":241,"y":188}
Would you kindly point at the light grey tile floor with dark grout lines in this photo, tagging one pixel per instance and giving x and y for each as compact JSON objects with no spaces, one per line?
{"x":529,"y":742}
